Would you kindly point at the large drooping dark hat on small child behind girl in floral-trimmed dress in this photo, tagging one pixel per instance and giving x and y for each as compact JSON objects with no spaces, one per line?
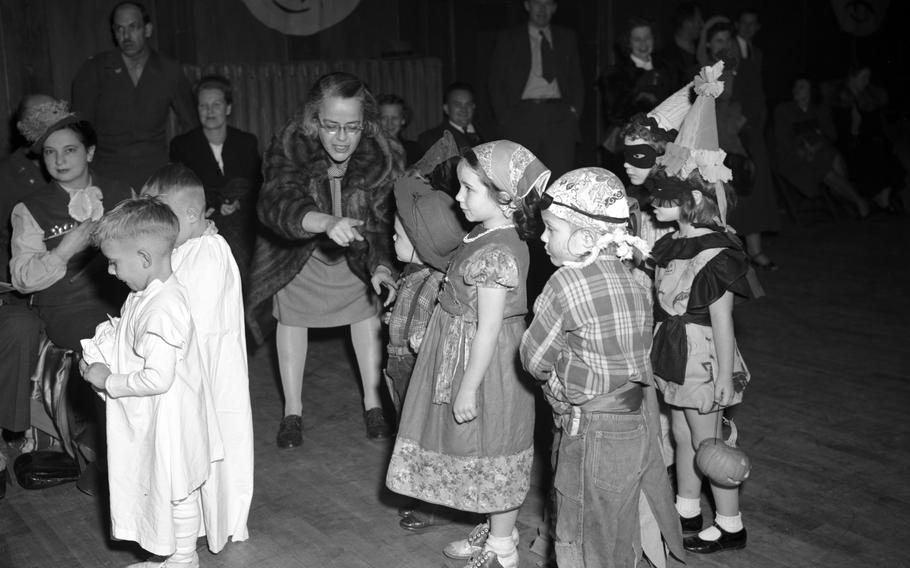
{"x":429,"y":219}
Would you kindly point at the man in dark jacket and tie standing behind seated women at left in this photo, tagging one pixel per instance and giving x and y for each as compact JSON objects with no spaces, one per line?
{"x":126,"y":94}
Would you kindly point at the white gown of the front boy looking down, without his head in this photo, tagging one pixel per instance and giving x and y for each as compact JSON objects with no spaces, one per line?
{"x":162,"y":432}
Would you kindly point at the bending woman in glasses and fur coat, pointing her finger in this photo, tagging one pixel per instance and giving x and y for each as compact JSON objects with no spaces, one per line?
{"x":327,"y":248}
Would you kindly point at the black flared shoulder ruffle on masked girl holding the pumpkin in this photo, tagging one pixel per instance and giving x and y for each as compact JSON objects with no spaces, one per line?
{"x":728,"y":271}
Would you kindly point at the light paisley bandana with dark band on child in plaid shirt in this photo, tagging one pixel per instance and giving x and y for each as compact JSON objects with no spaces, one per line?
{"x":594,"y":199}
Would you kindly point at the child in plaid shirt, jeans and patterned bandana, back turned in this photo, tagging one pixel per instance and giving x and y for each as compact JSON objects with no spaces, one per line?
{"x":589,"y":342}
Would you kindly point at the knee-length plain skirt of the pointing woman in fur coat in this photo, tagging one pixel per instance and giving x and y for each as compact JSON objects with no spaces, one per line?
{"x":324,"y":294}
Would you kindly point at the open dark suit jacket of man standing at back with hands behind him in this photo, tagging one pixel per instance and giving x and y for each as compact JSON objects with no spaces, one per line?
{"x":511,"y":65}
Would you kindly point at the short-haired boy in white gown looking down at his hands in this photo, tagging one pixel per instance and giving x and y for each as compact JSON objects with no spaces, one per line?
{"x":162,"y":433}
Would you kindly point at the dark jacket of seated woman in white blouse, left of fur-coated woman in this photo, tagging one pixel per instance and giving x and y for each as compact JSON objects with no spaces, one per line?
{"x":240,"y":155}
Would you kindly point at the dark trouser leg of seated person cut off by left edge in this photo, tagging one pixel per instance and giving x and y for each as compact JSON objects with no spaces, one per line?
{"x":20,"y":340}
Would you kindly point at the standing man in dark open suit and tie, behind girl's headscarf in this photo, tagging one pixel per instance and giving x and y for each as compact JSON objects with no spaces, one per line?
{"x":536,"y":87}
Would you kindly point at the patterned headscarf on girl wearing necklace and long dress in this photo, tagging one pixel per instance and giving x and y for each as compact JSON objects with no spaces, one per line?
{"x":512,"y":167}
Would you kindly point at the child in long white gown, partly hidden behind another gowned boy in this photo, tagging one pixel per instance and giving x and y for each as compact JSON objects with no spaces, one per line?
{"x":204,"y":264}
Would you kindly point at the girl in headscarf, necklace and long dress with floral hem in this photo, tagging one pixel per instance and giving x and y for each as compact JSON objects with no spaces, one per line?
{"x":466,"y":434}
